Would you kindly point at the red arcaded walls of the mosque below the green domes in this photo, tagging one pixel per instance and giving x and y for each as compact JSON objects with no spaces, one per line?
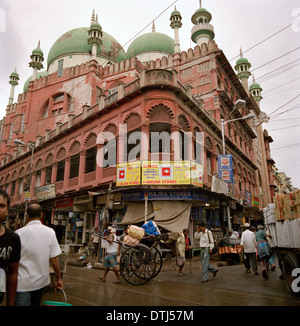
{"x":186,"y":92}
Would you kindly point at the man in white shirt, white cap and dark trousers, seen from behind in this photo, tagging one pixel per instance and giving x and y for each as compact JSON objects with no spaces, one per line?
{"x":249,"y":244}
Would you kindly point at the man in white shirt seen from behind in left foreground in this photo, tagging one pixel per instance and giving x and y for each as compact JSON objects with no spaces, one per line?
{"x":38,"y":245}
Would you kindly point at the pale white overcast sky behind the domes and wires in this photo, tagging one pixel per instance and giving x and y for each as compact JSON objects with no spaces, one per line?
{"x":237,"y":23}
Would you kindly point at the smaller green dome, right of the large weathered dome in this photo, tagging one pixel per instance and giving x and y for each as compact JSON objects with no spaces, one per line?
{"x":149,"y":42}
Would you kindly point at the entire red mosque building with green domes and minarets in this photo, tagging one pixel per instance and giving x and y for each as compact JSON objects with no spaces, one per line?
{"x":67,"y":141}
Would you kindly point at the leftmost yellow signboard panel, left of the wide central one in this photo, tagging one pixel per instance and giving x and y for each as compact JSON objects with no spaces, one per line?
{"x":128,"y":174}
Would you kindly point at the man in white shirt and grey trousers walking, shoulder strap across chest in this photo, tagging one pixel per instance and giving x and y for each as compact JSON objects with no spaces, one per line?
{"x":206,"y":245}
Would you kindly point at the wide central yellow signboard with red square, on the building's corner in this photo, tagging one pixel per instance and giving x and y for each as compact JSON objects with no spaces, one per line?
{"x":166,"y":173}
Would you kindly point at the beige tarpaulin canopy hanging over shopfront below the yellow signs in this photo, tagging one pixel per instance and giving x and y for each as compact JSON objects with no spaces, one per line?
{"x":170,"y":215}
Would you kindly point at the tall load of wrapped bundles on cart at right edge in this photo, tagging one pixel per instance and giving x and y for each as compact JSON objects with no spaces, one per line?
{"x":283,"y":220}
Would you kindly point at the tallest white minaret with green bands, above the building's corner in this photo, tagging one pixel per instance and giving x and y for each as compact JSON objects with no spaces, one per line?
{"x":203,"y":31}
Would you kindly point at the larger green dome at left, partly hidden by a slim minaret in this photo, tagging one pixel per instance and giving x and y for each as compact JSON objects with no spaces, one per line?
{"x":75,"y":41}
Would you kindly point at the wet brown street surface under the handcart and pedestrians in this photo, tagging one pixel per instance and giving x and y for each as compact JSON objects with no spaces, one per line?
{"x":231,"y":287}
